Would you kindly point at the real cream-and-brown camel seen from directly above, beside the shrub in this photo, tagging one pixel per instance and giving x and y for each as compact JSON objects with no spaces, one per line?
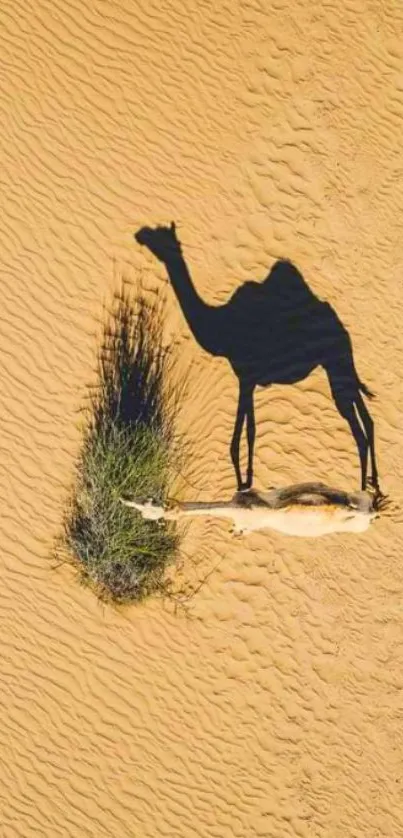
{"x":305,"y":509}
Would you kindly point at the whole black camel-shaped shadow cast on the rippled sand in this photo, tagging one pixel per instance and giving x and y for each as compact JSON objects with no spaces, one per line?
{"x":272,"y":332}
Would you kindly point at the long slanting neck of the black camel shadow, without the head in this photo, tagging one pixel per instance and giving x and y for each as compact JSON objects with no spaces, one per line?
{"x":203,"y":320}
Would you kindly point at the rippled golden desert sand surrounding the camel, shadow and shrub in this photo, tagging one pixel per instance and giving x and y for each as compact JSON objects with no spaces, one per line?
{"x":265,"y":131}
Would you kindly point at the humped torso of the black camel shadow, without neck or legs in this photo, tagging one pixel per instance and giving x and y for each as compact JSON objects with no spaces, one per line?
{"x":278,"y":331}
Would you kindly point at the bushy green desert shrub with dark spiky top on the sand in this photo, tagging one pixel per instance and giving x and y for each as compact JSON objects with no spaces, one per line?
{"x":129,"y":450}
